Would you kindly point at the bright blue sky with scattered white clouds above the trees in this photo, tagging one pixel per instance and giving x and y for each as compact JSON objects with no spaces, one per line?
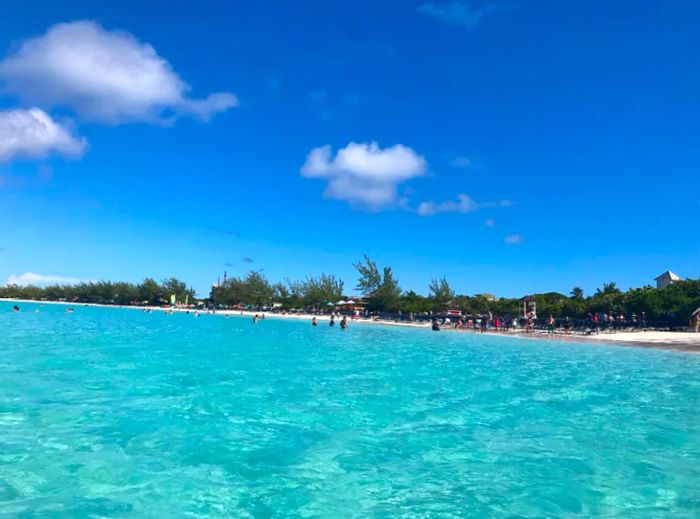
{"x":513,"y":147}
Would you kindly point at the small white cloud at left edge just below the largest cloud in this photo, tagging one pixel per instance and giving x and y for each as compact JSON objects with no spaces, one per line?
{"x":33,"y":133}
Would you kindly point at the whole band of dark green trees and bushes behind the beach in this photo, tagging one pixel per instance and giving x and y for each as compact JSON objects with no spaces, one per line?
{"x":382,"y":293}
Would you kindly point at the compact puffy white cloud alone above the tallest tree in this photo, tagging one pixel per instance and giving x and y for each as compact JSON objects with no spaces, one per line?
{"x":364,"y":174}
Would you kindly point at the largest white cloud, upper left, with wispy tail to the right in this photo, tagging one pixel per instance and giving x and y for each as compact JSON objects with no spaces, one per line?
{"x":107,"y":76}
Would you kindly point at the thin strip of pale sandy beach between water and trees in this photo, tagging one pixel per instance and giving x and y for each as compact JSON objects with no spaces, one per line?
{"x":685,"y":342}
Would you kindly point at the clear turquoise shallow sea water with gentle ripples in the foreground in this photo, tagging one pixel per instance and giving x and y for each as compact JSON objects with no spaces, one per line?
{"x":117,"y":413}
